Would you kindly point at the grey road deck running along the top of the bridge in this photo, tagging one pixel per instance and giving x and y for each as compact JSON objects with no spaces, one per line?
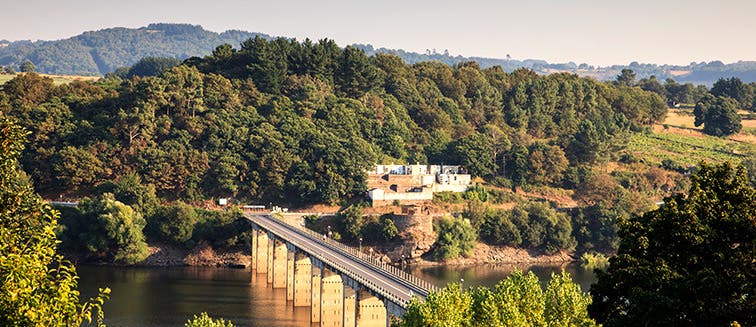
{"x":375,"y":276}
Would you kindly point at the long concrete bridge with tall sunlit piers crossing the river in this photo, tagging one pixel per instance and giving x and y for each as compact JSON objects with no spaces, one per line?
{"x":341,"y":285}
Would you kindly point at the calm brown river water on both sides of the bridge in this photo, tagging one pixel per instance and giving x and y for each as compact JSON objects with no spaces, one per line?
{"x":169,"y":296}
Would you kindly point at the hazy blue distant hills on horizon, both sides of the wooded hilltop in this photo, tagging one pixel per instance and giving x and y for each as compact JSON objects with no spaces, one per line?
{"x":101,"y":52}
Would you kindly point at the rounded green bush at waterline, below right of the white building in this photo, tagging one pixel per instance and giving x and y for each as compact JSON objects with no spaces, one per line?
{"x":456,"y":237}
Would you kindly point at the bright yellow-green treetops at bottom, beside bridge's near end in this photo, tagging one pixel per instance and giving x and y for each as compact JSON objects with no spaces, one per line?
{"x":517,"y":300}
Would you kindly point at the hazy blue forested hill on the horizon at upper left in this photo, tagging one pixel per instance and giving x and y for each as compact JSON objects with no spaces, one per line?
{"x":101,"y":52}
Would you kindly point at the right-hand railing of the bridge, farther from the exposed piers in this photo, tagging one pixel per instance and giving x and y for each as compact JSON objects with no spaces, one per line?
{"x":373,"y":260}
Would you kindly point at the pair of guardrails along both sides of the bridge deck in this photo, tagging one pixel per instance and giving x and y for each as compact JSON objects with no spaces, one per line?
{"x":418,"y":285}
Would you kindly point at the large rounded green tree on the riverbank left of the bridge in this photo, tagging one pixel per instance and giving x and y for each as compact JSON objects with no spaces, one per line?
{"x":107,"y":229}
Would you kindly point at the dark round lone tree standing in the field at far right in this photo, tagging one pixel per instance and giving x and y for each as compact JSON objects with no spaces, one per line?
{"x":719,"y":115}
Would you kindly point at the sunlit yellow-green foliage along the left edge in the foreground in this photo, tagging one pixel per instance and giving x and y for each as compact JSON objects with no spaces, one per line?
{"x":39,"y":287}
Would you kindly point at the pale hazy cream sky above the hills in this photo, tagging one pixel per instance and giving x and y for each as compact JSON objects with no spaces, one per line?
{"x":598,"y":32}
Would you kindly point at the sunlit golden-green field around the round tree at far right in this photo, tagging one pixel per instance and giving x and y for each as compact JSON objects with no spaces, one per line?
{"x":677,"y":139}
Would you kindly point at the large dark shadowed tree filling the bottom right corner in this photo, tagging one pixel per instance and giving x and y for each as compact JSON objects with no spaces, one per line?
{"x":688,"y":263}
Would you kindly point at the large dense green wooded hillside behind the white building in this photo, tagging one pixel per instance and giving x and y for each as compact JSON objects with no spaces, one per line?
{"x":299,"y":123}
